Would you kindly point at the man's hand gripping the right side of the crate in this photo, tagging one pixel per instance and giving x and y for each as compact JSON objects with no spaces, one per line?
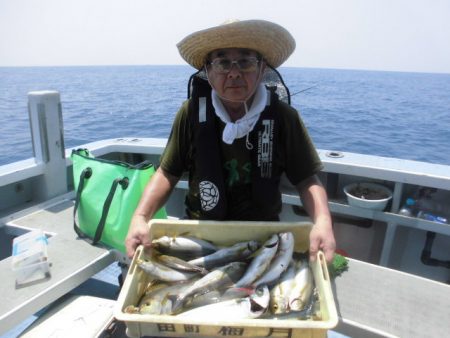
{"x":321,"y":237}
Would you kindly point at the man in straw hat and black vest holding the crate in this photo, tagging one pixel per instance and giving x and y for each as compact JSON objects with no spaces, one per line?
{"x":235,"y":137}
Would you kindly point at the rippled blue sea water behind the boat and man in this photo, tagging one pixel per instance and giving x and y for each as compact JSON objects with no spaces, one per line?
{"x":391,"y":114}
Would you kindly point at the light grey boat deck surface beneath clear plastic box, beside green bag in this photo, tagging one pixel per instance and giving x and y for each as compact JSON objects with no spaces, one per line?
{"x":73,"y":261}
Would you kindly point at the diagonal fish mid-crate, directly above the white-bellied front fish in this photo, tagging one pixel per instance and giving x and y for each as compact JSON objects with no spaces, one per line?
{"x":218,"y":279}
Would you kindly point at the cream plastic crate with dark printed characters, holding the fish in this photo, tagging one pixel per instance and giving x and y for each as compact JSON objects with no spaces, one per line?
{"x":225,"y":234}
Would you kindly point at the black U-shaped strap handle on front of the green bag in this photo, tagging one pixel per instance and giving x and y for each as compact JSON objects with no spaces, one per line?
{"x":86,"y":174}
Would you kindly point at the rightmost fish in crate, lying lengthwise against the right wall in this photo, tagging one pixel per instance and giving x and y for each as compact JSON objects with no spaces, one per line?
{"x":303,"y":286}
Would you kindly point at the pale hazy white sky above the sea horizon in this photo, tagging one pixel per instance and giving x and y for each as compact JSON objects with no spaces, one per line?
{"x":391,"y":35}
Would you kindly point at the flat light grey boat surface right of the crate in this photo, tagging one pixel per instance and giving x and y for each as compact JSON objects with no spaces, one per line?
{"x":387,"y":302}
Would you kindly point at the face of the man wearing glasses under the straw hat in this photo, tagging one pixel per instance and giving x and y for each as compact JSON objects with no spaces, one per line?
{"x":235,"y":73}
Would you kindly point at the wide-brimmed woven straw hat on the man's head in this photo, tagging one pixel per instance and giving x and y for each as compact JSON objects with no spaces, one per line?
{"x":272,"y":41}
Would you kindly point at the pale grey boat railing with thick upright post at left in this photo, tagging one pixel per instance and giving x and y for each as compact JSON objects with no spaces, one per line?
{"x":48,"y":174}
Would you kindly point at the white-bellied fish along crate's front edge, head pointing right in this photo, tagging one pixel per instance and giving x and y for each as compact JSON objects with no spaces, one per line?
{"x":241,"y":308}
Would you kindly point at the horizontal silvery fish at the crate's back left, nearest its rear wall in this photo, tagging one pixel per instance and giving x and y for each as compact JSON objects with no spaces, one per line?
{"x":183,"y":246}
